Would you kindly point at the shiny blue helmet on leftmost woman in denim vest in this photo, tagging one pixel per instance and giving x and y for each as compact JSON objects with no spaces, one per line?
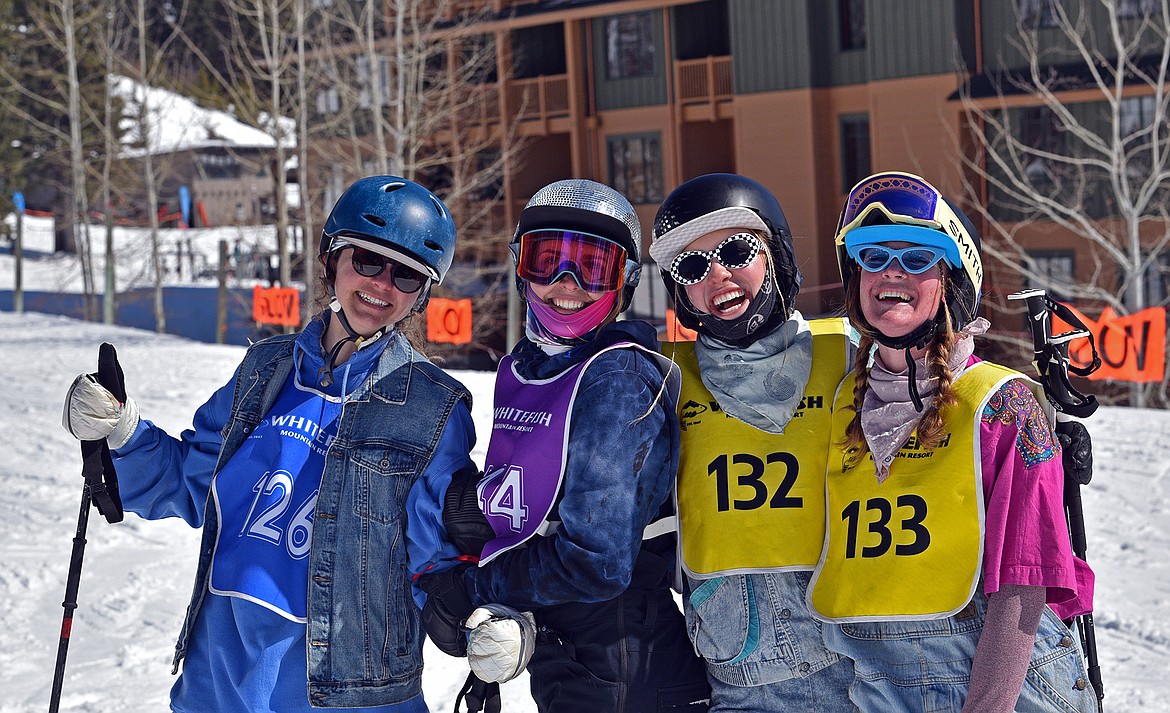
{"x":396,"y":218}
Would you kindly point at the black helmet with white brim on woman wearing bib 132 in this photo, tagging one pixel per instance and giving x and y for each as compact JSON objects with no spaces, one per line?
{"x":722,"y":201}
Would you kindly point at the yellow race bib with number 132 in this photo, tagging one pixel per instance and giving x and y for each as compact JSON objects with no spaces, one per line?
{"x":751,"y":501}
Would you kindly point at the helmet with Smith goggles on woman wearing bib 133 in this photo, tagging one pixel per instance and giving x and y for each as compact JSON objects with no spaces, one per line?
{"x":906,"y":201}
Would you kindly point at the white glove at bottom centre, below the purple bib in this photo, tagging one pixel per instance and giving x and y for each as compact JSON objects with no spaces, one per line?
{"x":501,"y":642}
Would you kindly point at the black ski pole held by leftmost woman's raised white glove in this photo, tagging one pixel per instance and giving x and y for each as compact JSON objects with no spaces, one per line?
{"x":101,"y":490}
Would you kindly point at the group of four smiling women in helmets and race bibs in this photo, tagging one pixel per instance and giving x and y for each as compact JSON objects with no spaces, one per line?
{"x":899,"y":547}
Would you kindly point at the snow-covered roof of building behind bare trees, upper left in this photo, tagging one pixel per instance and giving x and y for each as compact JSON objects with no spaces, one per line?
{"x":178,"y":124}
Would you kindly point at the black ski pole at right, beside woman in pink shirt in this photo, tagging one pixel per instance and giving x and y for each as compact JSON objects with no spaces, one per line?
{"x":1051,"y":361}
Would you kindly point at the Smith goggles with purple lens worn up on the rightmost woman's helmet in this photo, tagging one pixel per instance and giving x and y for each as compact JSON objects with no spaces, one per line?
{"x":898,"y":198}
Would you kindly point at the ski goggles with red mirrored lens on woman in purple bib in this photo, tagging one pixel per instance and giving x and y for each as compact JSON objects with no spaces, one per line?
{"x":595,"y":263}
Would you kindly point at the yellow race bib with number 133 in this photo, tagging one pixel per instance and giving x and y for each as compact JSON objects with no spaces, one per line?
{"x":912,"y":547}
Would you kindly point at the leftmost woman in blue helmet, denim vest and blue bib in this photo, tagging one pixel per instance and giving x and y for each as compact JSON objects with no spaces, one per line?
{"x":301,"y":472}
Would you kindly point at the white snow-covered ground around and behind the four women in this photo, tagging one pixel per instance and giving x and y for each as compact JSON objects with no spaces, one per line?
{"x":137,"y":575}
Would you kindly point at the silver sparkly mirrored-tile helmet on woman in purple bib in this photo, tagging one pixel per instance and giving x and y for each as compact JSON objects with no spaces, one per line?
{"x":579,"y":204}
